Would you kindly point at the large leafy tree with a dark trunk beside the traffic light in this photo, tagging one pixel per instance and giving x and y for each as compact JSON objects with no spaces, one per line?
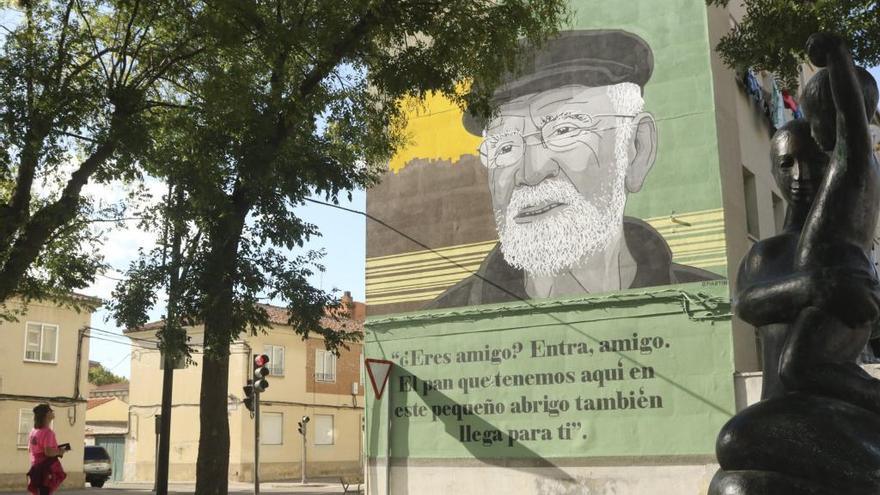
{"x":291,"y":99}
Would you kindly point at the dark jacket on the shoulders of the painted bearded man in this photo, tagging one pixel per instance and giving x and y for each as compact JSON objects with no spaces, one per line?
{"x":496,"y":281}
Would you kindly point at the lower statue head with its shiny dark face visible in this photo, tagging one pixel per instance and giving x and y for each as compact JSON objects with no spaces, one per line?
{"x":798,"y":163}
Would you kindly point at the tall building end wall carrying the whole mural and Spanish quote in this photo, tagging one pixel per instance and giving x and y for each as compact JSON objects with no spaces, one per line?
{"x":564,"y":323}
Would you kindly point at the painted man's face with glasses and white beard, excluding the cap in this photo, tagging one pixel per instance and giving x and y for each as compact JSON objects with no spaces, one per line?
{"x":557,"y":169}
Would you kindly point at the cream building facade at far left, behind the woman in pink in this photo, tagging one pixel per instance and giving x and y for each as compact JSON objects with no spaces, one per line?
{"x":44,"y":358}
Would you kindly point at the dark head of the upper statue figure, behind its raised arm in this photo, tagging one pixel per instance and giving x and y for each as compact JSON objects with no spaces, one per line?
{"x":818,"y":105}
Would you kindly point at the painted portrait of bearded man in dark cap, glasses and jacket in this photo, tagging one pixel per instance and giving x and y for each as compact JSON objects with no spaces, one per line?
{"x":569,"y":142}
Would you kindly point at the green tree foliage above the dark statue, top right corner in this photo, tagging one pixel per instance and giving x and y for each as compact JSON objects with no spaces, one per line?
{"x":772,"y":34}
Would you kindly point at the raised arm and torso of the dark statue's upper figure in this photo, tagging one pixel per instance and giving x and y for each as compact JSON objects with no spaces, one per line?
{"x":837,"y":101}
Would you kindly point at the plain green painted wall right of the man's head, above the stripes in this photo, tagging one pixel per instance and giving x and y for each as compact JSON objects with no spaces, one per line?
{"x":686,"y":174}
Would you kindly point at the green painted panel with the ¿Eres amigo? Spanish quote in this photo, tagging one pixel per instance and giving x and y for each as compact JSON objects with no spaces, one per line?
{"x":642,"y":373}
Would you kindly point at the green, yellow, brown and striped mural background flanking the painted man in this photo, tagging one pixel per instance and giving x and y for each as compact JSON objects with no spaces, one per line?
{"x":439,"y":196}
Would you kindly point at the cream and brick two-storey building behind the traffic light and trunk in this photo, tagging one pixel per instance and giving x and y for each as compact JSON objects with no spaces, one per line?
{"x":305,"y":380}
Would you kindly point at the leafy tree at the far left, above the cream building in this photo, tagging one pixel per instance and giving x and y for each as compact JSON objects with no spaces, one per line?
{"x":77,"y":78}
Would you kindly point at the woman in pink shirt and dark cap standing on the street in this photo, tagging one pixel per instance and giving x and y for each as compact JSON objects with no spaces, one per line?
{"x":46,"y":473}
